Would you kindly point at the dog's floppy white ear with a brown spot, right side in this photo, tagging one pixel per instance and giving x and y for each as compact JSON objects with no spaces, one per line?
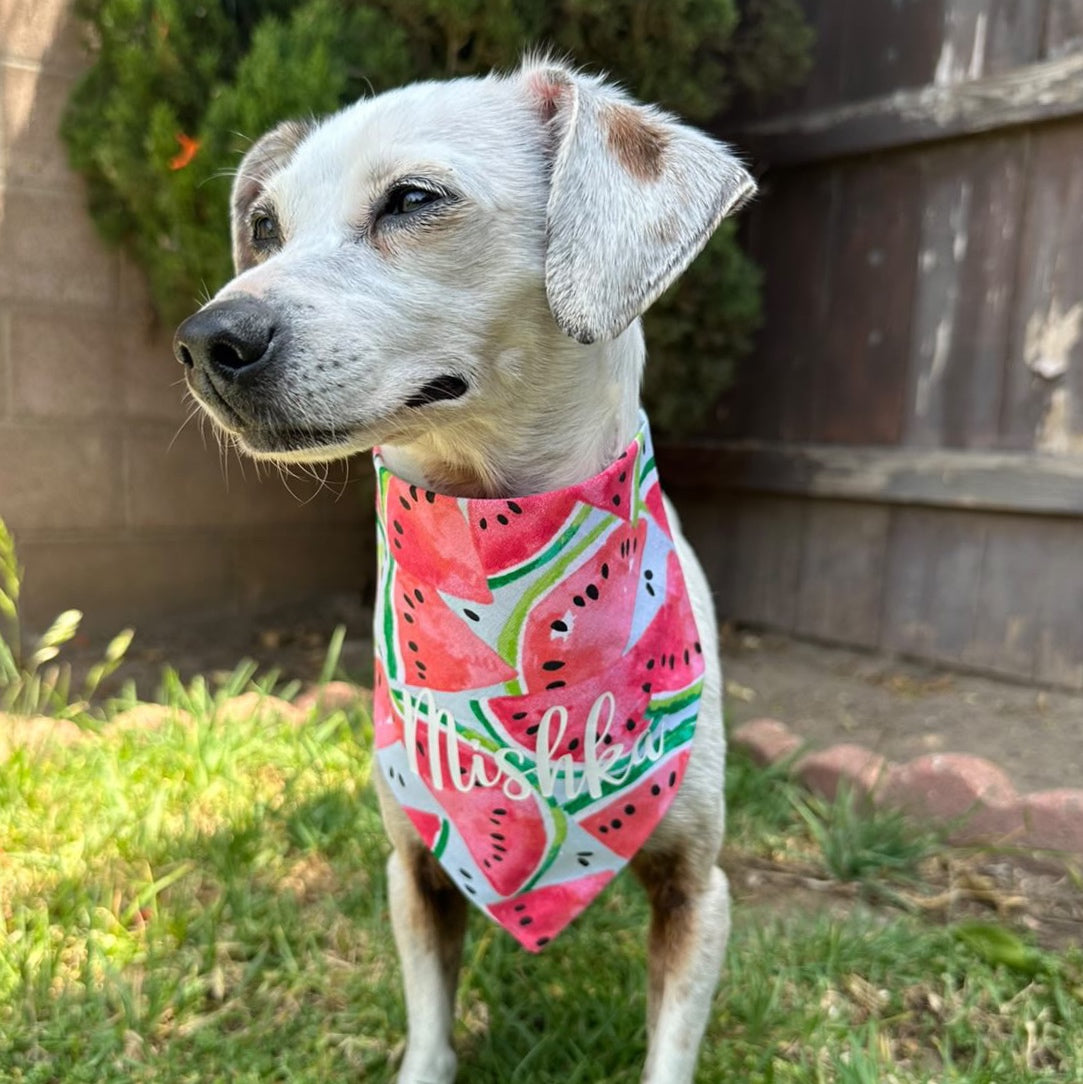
{"x":634,"y":198}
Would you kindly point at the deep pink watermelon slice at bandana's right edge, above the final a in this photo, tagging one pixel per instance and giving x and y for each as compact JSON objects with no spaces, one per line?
{"x":668,"y":656}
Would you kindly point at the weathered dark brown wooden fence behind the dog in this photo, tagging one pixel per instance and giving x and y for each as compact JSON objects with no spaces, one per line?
{"x":901,"y":464}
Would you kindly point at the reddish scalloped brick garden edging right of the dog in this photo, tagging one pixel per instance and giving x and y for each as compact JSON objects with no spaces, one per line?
{"x":972,"y":795}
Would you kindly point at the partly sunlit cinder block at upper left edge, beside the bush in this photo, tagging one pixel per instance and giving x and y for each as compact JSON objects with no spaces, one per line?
{"x":32,"y":106}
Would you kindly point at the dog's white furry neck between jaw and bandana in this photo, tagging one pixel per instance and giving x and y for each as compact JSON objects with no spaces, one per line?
{"x":563,"y":418}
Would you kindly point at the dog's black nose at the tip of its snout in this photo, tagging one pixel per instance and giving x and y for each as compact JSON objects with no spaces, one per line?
{"x":231,"y":339}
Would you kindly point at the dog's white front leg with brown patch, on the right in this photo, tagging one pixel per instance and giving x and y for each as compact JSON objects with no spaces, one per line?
{"x":690,"y":926}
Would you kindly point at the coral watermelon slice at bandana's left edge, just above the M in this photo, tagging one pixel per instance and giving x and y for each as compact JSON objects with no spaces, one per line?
{"x":436,"y":648}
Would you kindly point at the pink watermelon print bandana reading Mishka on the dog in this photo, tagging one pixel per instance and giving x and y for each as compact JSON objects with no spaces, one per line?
{"x":538,"y":680}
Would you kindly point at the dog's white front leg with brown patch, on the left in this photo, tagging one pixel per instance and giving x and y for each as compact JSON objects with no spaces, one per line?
{"x":429,"y":918}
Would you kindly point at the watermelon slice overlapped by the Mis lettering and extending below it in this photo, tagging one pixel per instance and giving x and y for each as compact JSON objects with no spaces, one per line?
{"x":507,"y":837}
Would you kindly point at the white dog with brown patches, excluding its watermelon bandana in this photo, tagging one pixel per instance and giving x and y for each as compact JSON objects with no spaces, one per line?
{"x":455,"y":273}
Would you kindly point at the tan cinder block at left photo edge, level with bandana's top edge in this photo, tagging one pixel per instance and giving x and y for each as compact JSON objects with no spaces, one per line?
{"x":60,"y":478}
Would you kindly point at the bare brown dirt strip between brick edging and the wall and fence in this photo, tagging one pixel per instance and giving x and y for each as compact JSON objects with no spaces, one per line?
{"x":824,"y":694}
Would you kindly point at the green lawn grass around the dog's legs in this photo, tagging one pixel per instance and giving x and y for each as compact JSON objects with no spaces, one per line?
{"x":207,"y":902}
